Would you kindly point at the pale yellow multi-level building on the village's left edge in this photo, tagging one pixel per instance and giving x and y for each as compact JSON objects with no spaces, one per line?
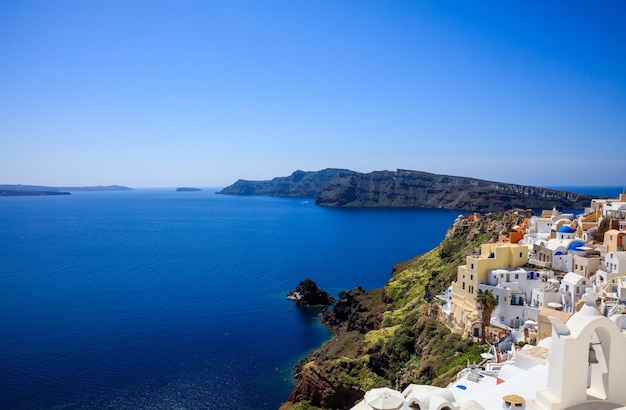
{"x":501,"y":255}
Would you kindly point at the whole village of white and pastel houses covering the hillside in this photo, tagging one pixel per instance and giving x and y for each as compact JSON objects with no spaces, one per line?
{"x":559,"y":291}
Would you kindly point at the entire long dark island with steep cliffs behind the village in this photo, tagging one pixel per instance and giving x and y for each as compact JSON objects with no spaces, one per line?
{"x":405,"y":188}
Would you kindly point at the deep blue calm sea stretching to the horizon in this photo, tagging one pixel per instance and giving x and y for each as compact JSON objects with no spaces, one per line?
{"x":157,"y":299}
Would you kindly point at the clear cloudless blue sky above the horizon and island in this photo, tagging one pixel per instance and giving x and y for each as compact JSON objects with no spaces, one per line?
{"x":202,"y":93}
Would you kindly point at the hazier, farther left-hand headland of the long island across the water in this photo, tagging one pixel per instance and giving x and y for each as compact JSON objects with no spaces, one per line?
{"x":300,"y":184}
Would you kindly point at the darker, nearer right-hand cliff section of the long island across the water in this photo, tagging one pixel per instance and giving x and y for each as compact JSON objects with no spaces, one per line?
{"x":421,"y":189}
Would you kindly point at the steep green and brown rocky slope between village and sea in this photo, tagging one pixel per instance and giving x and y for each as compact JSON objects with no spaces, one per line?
{"x":396,"y":335}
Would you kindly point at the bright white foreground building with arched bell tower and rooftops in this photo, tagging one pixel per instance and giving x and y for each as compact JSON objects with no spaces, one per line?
{"x":582,"y":366}
